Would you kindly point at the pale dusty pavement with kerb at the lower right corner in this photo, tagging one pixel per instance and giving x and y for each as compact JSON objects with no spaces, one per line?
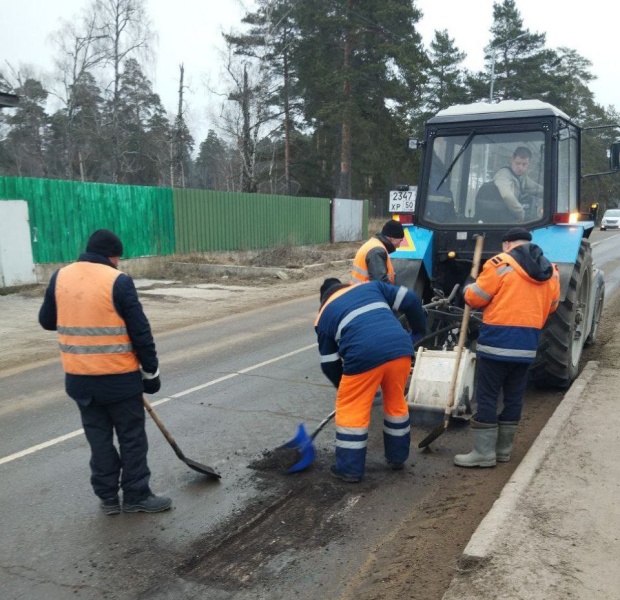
{"x":554,"y":531}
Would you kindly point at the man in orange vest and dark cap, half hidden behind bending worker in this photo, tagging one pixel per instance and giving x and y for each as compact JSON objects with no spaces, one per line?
{"x":372,"y":261}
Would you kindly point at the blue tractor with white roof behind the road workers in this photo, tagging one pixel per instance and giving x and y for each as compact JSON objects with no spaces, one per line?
{"x":467,"y":188}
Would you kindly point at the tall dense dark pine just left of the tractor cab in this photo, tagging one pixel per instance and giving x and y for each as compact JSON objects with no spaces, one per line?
{"x":360,"y":70}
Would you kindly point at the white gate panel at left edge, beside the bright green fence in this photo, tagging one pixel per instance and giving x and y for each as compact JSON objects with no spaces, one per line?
{"x":16,"y":263}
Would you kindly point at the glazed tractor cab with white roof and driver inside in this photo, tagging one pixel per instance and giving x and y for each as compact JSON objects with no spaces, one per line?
{"x":500,"y":171}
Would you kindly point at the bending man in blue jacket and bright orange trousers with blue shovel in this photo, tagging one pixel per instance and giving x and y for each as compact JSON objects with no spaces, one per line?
{"x":363,"y":346}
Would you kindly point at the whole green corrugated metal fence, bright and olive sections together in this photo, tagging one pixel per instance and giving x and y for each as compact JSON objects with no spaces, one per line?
{"x":160,"y":221}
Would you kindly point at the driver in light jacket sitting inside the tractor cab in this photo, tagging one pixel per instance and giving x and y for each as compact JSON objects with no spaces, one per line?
{"x":515,"y":186}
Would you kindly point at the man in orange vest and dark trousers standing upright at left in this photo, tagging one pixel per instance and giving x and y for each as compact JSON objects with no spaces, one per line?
{"x":109,"y":358}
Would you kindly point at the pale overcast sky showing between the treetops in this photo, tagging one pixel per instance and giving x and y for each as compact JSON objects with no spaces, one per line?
{"x":189,"y":32}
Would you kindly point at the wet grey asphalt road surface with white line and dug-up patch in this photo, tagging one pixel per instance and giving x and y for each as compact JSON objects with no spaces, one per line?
{"x":232,"y":390}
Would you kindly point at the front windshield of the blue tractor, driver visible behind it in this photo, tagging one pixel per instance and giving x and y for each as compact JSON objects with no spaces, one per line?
{"x":485,"y":178}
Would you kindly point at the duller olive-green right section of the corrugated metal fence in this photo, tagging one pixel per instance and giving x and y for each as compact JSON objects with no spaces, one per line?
{"x":209,"y":220}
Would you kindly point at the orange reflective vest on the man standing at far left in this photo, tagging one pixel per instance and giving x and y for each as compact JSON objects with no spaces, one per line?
{"x":92,"y":336}
